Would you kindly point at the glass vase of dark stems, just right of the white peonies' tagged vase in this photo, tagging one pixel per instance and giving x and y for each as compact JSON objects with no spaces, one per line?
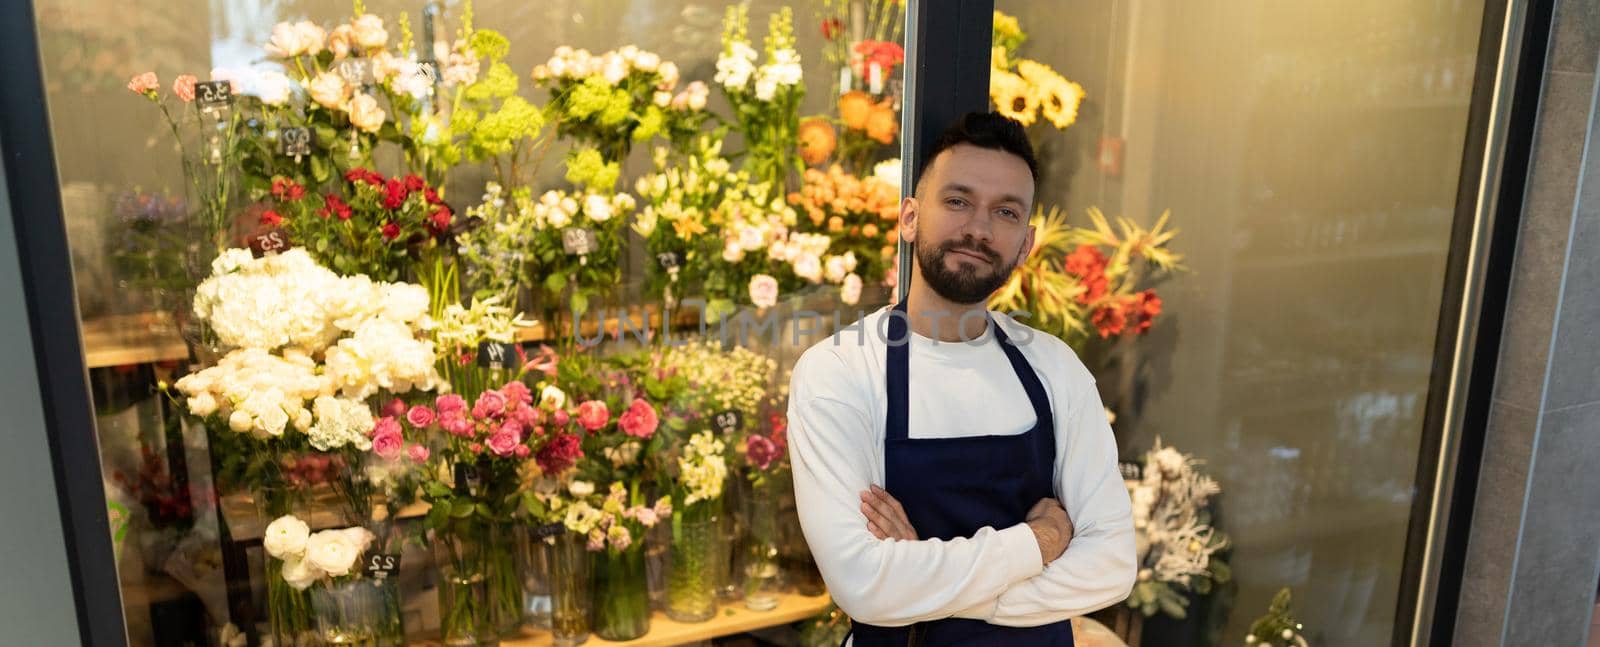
{"x":462,"y":555}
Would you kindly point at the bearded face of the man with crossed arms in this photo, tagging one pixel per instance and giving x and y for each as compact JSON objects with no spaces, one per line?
{"x":970,"y":222}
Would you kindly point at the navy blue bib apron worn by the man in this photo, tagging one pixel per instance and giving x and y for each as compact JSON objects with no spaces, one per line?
{"x":956,"y":486}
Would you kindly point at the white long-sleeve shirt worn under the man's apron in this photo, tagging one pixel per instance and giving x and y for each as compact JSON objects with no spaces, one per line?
{"x":838,"y":409}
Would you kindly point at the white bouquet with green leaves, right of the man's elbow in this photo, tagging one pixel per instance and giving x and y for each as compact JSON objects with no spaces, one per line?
{"x":1178,"y":545}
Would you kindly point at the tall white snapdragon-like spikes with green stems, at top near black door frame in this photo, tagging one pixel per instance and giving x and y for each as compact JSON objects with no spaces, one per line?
{"x":766,"y":97}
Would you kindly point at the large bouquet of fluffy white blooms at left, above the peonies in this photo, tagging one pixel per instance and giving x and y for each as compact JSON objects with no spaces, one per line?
{"x":308,"y":358}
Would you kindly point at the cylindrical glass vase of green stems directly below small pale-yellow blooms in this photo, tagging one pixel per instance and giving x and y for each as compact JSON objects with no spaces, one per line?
{"x":692,"y":587}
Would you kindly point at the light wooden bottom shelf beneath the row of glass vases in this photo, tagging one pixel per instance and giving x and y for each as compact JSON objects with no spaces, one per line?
{"x":732,"y":619}
